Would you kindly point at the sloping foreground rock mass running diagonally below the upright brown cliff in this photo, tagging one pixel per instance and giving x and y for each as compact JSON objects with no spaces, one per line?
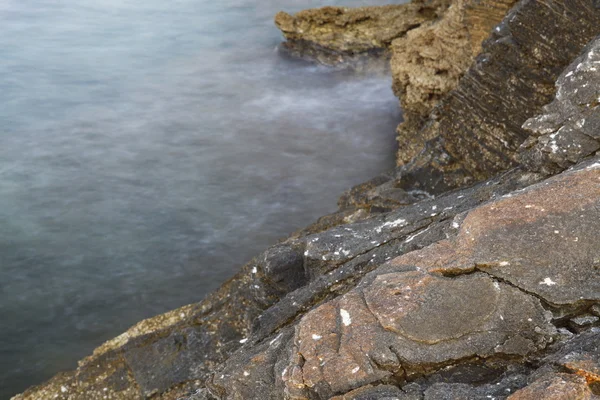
{"x":449,"y":295}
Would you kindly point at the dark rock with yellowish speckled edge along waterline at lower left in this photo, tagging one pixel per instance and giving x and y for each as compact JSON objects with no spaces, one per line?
{"x":171,"y":355}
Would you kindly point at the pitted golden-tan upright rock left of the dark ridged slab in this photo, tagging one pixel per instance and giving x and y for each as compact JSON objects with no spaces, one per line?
{"x":428,"y":62}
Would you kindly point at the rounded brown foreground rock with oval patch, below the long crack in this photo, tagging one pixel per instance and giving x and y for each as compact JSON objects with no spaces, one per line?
{"x":408,"y":322}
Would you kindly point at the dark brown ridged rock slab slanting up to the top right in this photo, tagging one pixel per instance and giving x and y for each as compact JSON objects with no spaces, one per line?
{"x":475,"y":131}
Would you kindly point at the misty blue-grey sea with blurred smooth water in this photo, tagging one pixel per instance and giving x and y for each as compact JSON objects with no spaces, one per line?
{"x":147,"y":150}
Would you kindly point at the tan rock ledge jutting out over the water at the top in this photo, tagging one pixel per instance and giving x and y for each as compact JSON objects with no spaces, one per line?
{"x":340,"y":36}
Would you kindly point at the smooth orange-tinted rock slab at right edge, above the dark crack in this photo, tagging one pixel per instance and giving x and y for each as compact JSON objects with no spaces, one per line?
{"x":543,"y":240}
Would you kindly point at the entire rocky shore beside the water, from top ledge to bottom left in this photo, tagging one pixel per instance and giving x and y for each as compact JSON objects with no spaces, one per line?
{"x":472,"y":271}
